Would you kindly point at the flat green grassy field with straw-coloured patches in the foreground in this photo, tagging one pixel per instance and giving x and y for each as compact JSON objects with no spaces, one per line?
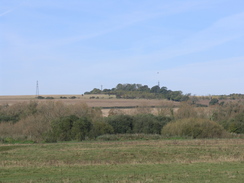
{"x":129,"y":161}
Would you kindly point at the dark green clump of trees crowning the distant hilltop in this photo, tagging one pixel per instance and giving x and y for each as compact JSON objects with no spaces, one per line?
{"x":132,"y":91}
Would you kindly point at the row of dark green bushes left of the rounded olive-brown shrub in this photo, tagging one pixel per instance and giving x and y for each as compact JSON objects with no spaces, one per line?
{"x":80,"y":128}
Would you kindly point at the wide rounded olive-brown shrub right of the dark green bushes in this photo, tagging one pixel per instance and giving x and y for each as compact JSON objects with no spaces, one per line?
{"x":194,"y":128}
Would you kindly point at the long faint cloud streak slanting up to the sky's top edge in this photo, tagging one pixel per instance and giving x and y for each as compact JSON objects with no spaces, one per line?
{"x":121,"y":21}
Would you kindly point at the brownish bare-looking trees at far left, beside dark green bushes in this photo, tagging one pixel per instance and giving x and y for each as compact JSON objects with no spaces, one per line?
{"x":34,"y":120}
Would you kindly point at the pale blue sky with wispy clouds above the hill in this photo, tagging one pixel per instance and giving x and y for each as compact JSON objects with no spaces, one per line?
{"x":70,"y":47}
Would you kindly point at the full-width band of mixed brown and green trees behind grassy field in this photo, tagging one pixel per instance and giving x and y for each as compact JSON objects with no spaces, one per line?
{"x":51,"y":121}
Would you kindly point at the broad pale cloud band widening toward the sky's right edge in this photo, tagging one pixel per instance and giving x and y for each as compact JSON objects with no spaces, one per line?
{"x":221,"y":32}
